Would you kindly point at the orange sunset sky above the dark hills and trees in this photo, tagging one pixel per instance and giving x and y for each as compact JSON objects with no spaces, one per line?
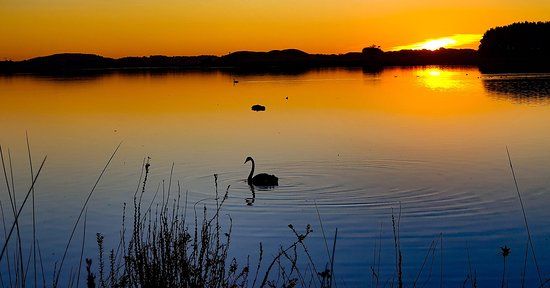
{"x":119,"y":28}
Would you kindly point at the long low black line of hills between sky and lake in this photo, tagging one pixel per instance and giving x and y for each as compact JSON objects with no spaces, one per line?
{"x":290,"y":59}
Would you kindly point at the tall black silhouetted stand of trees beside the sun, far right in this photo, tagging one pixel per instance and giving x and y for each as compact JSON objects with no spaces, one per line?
{"x":517,"y":47}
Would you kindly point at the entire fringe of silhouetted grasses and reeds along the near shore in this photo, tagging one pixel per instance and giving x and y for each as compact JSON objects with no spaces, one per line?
{"x":165,"y":245}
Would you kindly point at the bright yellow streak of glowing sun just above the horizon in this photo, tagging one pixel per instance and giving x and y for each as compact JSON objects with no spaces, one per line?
{"x":454,"y":41}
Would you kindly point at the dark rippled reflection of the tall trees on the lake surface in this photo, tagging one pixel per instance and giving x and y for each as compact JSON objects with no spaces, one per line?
{"x":519,"y":89}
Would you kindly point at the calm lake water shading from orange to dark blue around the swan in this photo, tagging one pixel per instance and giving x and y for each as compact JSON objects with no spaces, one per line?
{"x":355,"y":144}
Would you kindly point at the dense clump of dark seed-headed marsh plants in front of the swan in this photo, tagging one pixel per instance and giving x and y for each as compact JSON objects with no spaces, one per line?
{"x":164,"y":247}
